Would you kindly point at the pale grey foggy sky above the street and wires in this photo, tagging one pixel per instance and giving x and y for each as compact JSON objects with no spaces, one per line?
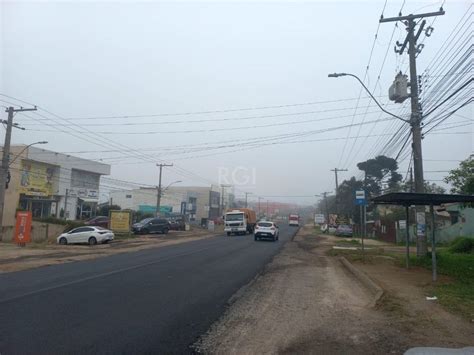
{"x":121,"y":58}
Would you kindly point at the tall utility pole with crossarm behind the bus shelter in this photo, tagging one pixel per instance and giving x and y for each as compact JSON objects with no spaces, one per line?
{"x":416,"y":113}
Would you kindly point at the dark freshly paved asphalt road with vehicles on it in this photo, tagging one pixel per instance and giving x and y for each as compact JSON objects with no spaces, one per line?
{"x":152,"y":301}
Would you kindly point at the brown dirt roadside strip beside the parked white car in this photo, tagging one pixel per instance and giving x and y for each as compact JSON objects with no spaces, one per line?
{"x":14,"y":258}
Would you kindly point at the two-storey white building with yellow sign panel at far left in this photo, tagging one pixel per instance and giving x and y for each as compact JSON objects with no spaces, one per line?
{"x":51,"y":184}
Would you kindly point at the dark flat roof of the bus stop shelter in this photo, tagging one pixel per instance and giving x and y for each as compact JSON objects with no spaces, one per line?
{"x":407,"y":199}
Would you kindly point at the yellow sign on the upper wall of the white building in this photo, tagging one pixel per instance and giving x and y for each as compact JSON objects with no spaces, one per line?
{"x":36,"y":179}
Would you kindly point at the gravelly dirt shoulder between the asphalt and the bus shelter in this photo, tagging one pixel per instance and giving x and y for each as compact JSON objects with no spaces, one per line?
{"x":306,"y":302}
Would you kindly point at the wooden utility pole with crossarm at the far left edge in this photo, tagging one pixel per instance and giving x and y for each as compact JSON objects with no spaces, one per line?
{"x":6,"y":157}
